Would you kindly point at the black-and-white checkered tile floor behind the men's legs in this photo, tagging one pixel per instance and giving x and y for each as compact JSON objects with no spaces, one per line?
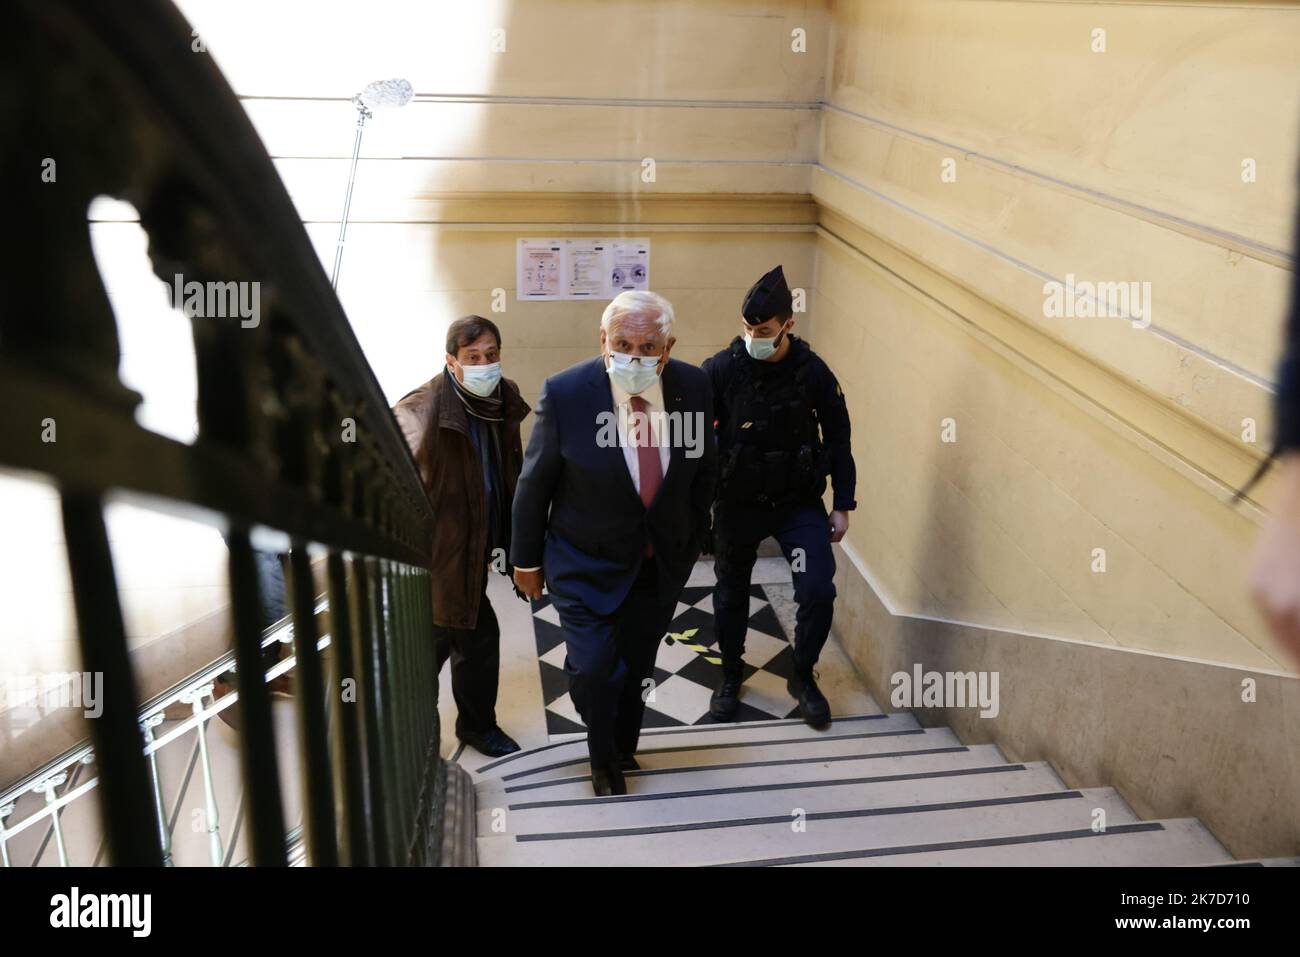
{"x":687,"y":668}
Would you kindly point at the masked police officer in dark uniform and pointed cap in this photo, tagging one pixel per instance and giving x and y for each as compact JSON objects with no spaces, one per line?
{"x":783,"y":427}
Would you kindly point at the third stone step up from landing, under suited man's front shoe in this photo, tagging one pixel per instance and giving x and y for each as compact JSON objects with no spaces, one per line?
{"x":496,"y":794}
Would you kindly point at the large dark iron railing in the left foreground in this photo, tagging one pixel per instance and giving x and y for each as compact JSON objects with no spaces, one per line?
{"x":294,"y":434}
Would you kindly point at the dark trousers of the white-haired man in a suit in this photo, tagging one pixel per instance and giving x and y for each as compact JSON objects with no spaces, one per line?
{"x":610,"y":661}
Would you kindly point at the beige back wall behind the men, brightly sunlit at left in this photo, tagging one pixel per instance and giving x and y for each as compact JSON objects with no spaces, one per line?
{"x":544,"y":137}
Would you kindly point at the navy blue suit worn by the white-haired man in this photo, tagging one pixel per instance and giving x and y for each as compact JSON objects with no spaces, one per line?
{"x":579,"y":517}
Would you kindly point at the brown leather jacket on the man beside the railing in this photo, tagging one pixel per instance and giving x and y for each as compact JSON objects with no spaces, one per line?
{"x":437,"y":428}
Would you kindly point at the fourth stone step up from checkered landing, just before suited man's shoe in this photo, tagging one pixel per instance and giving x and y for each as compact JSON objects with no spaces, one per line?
{"x":926,"y":787}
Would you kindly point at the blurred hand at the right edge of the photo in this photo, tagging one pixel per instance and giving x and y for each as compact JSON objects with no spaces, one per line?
{"x":1276,"y":565}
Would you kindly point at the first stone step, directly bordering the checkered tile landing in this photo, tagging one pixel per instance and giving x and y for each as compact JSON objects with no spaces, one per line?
{"x":661,"y":739}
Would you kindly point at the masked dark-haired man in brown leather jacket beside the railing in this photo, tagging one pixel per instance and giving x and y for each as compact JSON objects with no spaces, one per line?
{"x":463,"y":431}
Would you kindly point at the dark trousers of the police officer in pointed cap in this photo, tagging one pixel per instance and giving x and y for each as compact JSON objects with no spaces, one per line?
{"x":804,"y":532}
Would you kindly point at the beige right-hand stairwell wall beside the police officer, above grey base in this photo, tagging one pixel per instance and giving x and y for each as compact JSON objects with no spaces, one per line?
{"x":1076,"y":434}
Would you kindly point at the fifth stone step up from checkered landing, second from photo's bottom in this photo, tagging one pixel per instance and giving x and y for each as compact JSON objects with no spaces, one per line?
{"x":747,"y":838}
